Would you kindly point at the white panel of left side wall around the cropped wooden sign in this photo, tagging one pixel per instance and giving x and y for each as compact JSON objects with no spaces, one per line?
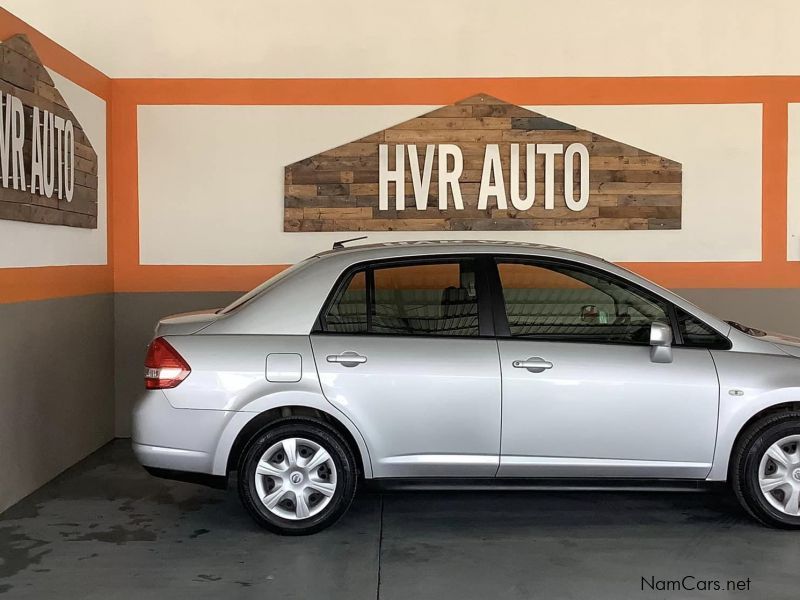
{"x":37,"y":245}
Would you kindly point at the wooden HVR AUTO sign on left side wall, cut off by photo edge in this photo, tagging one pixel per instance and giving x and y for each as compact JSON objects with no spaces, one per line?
{"x":48,"y":168}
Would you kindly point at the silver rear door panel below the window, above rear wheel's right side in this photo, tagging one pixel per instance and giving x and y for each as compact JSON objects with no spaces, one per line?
{"x":426,"y":406}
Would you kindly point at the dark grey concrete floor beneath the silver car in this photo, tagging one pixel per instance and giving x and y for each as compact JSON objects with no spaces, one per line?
{"x":106,"y":529}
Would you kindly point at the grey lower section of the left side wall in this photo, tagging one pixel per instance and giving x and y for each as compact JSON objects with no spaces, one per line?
{"x":57,"y":387}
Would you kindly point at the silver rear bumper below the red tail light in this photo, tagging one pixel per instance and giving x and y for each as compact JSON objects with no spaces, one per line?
{"x":175,"y":439}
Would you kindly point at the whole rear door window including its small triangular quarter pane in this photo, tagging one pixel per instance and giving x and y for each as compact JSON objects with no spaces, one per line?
{"x":430,"y":299}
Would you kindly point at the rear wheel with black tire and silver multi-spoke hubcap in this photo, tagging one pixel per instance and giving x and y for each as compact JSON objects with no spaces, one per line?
{"x":297,"y":496}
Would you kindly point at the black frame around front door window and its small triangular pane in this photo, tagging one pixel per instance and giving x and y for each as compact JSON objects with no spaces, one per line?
{"x":501,"y":318}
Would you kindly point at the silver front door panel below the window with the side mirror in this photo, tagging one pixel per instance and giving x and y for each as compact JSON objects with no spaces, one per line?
{"x":602,"y":409}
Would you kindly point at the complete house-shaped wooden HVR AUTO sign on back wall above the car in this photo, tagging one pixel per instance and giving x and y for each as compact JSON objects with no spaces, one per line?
{"x":482,"y":164}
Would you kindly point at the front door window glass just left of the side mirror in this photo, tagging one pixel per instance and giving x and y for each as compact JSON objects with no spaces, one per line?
{"x":558,"y":302}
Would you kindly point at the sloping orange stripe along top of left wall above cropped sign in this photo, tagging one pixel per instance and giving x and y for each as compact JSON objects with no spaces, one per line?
{"x":57,"y":57}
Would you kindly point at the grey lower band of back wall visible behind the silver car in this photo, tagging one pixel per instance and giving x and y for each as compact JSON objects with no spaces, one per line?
{"x":136,"y":314}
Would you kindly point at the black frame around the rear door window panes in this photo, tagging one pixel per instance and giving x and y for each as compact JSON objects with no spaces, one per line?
{"x":486,"y":321}
